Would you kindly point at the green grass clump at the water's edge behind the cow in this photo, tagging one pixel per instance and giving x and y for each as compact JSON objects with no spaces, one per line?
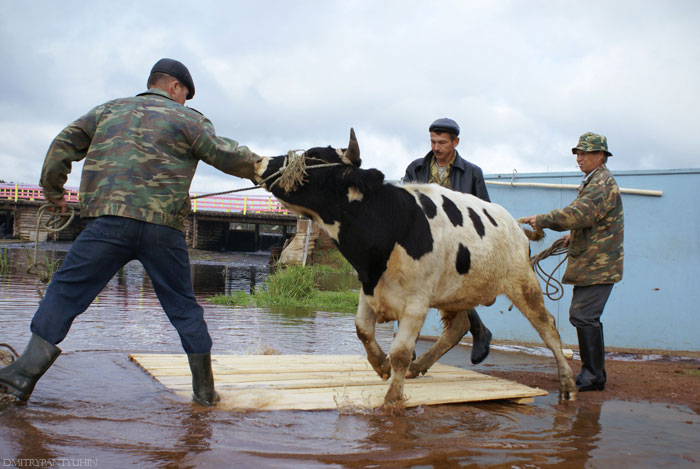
{"x":294,"y":286}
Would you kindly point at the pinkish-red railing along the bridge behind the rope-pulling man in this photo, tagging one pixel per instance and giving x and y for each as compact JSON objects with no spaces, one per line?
{"x":220,"y":203}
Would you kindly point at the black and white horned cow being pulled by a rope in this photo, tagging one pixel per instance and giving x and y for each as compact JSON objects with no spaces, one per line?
{"x":415,"y":247}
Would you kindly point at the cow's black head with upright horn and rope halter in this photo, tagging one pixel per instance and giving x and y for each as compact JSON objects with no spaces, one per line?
{"x":320,"y":181}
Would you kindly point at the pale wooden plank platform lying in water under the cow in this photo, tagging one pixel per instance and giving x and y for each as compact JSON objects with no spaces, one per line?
{"x":315,"y":382}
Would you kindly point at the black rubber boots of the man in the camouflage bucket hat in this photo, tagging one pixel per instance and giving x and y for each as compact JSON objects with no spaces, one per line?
{"x":592,"y":351}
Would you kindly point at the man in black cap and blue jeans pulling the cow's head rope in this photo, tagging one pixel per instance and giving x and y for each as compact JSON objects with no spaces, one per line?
{"x":140,"y":156}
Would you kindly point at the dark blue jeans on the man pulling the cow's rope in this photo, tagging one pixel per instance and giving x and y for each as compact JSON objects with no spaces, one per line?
{"x":104,"y":247}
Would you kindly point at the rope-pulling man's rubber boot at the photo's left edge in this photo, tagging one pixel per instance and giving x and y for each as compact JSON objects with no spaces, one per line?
{"x":20,"y":377}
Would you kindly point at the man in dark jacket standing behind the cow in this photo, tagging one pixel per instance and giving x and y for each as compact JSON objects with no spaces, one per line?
{"x":443,"y":165}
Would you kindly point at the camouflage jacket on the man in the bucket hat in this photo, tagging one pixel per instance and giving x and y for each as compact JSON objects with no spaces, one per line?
{"x":596,"y":221}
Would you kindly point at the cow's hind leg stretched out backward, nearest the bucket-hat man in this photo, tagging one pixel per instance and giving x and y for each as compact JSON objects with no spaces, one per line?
{"x":529,"y":301}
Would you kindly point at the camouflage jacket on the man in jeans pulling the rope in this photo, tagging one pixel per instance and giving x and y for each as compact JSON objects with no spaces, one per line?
{"x":140,"y":156}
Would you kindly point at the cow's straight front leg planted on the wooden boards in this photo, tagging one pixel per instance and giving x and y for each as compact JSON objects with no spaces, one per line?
{"x":400,"y":356}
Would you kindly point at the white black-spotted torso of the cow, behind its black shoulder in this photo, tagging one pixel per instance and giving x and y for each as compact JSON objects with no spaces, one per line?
{"x":477,"y":250}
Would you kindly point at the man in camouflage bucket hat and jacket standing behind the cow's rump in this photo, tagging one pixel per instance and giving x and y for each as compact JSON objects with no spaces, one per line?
{"x":595,"y":257}
